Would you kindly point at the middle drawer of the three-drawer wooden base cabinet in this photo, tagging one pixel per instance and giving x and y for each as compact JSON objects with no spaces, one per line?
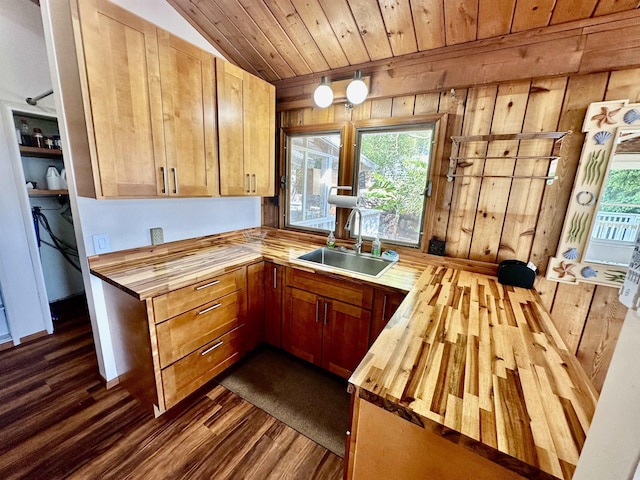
{"x":185,"y":333}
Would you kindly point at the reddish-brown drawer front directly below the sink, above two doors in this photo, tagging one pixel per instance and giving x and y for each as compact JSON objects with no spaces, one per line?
{"x":342,"y":289}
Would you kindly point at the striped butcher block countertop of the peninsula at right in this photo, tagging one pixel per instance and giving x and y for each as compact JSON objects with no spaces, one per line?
{"x":482,"y":365}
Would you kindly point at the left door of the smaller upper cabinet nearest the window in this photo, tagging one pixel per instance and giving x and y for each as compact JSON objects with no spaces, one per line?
{"x":230,"y":83}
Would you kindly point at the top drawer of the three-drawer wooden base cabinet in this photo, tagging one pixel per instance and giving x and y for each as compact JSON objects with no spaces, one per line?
{"x":183,"y":299}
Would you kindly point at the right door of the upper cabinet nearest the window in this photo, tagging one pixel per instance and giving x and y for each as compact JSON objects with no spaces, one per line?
{"x":259,"y":111}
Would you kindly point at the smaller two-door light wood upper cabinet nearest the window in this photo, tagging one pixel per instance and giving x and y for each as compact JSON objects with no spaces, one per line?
{"x":246,"y":132}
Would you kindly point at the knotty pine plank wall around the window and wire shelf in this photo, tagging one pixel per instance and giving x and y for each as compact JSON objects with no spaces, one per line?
{"x":492,"y":219}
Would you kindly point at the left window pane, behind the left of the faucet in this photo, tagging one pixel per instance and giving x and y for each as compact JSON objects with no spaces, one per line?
{"x":312,"y":169}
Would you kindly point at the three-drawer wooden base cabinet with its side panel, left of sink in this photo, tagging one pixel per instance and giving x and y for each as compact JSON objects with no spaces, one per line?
{"x":170,"y":345}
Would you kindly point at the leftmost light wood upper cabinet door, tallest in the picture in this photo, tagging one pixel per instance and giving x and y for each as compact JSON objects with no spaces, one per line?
{"x":125,"y":122}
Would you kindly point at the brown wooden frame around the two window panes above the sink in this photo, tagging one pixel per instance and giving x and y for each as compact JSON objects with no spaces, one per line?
{"x":347,"y":167}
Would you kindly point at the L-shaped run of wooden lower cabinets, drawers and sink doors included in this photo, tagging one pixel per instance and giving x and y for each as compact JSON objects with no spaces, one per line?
{"x":168,"y":346}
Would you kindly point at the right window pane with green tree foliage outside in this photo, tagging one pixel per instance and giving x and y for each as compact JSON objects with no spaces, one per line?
{"x":392,"y":168}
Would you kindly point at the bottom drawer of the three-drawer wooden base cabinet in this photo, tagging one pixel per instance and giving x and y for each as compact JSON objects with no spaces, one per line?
{"x":191,"y":372}
